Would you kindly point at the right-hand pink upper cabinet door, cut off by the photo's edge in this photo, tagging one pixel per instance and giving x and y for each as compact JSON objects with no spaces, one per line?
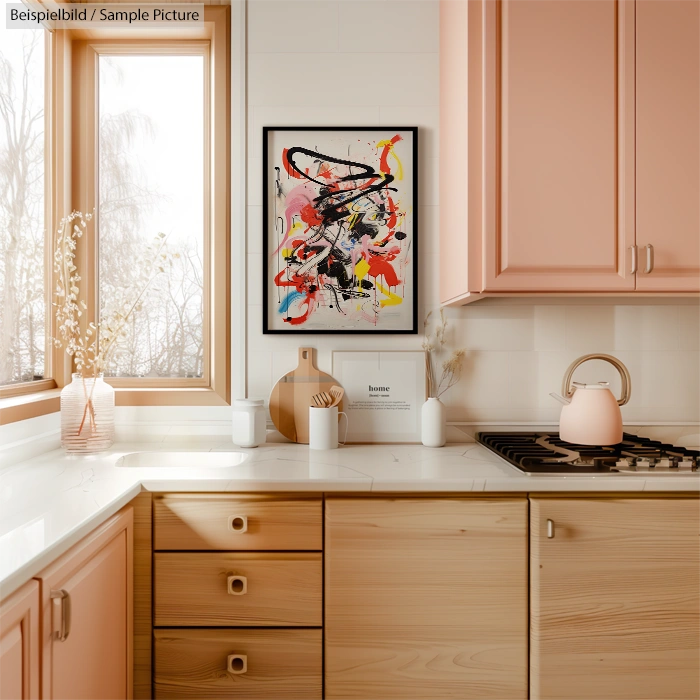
{"x":668,"y":144}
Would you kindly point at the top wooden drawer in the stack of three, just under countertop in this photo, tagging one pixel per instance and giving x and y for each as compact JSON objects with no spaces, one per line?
{"x":237,"y":523}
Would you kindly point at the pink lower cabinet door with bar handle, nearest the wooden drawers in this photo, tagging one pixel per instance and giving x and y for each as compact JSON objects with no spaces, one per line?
{"x":94,"y":661}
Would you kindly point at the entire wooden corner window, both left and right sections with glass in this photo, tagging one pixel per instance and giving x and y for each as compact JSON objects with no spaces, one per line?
{"x":136,"y":129}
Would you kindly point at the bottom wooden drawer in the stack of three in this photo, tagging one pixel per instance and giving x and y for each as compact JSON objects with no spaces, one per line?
{"x":279,"y":664}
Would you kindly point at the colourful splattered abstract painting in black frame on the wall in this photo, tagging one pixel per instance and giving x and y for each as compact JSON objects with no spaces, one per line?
{"x":339,"y":227}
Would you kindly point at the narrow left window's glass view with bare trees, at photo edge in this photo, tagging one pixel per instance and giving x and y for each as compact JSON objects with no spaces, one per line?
{"x":22,"y":227}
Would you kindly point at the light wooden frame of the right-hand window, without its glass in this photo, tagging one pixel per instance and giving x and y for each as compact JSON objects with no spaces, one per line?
{"x":214,"y":387}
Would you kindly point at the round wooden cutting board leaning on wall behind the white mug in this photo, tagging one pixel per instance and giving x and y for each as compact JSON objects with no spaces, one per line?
{"x":293,"y":394}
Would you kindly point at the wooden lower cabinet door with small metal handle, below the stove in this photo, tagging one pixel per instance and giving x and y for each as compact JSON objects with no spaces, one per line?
{"x":615,"y":609}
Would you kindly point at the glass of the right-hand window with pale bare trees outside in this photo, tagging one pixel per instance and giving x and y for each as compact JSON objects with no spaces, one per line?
{"x":151,"y":180}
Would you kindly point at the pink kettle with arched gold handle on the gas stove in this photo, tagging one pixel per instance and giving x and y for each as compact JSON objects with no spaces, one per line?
{"x":591,"y":414}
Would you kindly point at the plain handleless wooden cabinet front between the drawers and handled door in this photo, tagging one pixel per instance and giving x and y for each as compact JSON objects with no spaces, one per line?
{"x":426,"y":598}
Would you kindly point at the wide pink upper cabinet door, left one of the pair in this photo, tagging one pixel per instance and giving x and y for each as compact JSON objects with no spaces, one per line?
{"x":558,"y":145}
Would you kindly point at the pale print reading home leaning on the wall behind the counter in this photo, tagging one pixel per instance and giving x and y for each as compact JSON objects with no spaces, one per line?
{"x":384,"y":394}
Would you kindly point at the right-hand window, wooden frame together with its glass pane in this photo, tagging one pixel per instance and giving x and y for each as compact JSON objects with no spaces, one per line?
{"x":151,"y":156}
